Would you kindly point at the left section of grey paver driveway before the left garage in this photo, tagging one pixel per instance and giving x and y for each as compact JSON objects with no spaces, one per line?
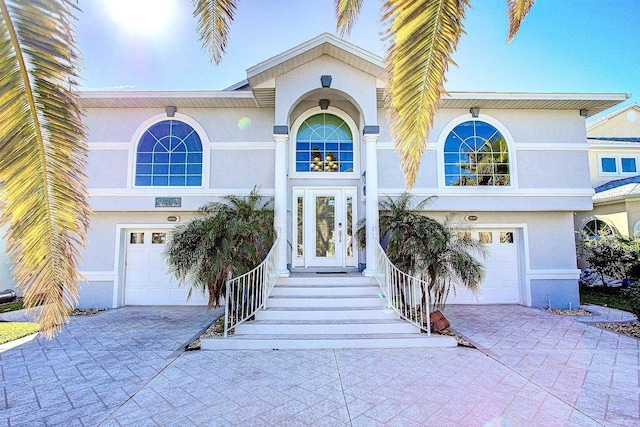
{"x":94,"y":366}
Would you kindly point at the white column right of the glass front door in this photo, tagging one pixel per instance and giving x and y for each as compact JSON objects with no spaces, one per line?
{"x":371,"y":134}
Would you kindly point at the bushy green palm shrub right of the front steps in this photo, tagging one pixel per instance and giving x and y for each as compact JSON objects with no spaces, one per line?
{"x":440,"y":253}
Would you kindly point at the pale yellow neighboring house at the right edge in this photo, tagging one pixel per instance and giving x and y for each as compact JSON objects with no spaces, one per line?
{"x":614,"y":161}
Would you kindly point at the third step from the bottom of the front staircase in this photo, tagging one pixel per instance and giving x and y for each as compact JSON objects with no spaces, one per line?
{"x":315,"y":313}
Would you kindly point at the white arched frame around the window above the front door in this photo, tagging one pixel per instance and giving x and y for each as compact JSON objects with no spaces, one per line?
{"x":293,"y":136}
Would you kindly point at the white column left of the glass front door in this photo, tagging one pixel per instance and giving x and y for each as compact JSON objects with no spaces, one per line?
{"x":280,"y":201}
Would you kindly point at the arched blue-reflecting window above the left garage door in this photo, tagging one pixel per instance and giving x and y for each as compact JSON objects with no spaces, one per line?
{"x":169,"y":154}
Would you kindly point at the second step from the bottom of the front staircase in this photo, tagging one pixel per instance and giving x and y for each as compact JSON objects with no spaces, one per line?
{"x":332,"y":327}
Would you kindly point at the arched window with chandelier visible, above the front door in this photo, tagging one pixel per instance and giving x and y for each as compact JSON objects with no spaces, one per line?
{"x":324,"y":144}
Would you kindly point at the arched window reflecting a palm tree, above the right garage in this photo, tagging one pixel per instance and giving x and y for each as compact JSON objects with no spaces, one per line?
{"x":476,"y":153}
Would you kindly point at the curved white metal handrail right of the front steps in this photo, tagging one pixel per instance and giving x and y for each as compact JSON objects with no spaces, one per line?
{"x":406,"y":295}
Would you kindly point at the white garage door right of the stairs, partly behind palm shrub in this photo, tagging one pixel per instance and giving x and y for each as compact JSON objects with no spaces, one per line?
{"x":502,"y":278}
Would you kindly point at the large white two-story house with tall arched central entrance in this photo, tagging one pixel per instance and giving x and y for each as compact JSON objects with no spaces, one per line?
{"x":309,"y":127}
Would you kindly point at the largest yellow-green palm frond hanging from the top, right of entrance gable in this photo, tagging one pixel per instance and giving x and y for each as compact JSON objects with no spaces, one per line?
{"x":422,"y":35}
